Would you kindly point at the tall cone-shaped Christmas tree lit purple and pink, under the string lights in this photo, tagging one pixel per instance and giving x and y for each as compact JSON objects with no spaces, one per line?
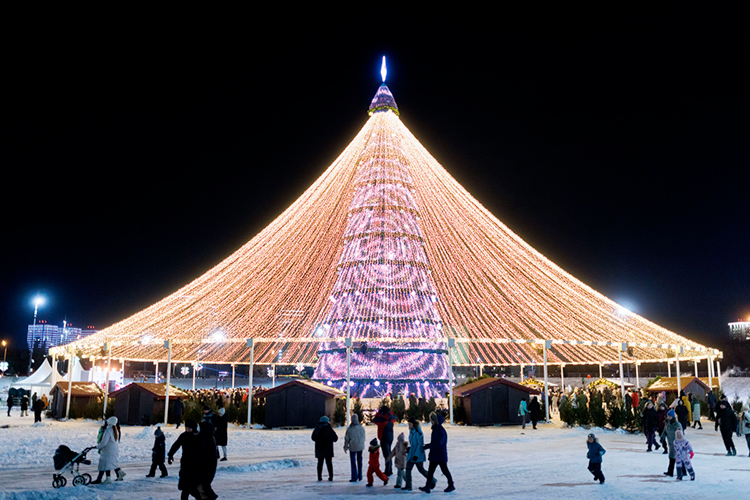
{"x":383,"y":289}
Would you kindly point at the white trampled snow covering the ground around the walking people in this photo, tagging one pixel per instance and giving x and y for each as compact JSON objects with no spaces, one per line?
{"x":485,"y":462}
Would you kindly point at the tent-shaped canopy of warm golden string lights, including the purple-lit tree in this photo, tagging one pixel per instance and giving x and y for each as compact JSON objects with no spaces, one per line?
{"x":388,"y":249}
